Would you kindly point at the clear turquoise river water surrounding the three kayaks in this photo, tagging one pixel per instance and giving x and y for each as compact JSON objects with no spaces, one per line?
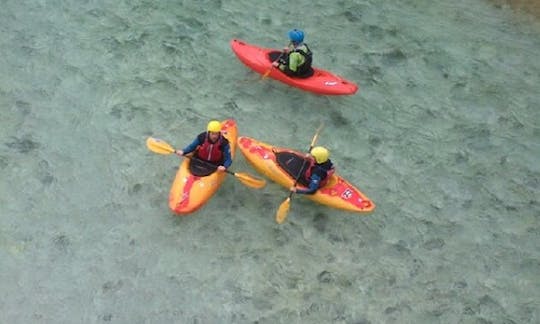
{"x":443,"y":135}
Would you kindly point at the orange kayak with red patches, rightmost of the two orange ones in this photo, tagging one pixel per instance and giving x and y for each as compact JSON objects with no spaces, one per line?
{"x":278,"y":164}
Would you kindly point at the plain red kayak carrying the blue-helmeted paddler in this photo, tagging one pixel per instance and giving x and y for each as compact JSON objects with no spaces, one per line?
{"x":321,"y":82}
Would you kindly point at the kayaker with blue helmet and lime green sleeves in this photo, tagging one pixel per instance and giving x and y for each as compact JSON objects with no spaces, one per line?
{"x":295,"y":60}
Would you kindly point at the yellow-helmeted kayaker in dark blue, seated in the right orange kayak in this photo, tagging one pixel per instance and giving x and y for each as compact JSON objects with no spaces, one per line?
{"x":319,"y":171}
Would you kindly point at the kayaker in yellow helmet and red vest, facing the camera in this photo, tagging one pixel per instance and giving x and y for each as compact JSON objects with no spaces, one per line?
{"x":210,"y":146}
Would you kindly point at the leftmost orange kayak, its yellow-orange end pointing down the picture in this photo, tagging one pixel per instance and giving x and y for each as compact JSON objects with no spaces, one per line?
{"x":190,"y":192}
